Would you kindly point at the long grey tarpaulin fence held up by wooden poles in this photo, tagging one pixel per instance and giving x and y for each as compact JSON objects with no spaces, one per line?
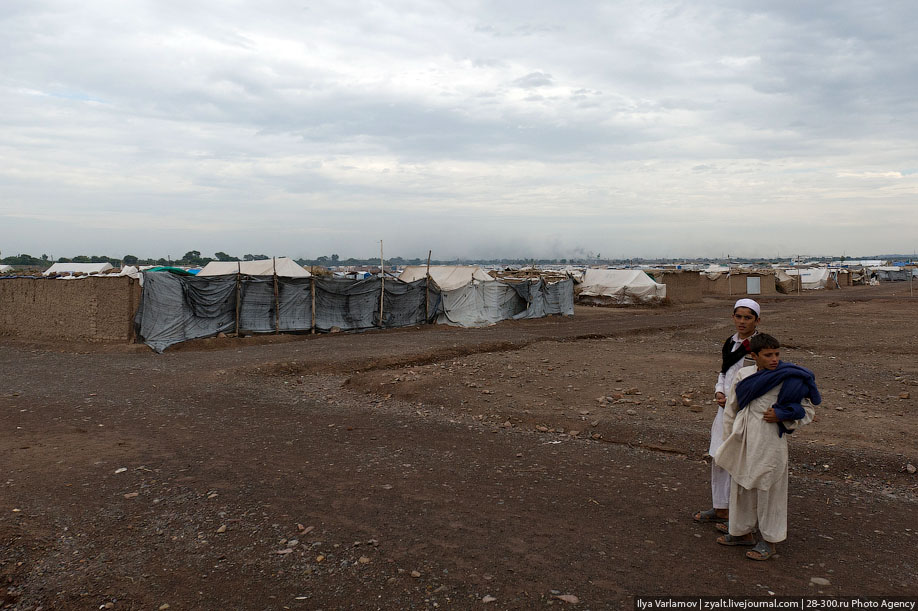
{"x":178,"y":308}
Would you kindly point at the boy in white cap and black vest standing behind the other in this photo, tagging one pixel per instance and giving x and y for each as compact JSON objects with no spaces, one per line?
{"x":746,"y":317}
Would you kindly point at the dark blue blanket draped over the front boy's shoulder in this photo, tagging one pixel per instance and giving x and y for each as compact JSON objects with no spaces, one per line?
{"x":799,"y":383}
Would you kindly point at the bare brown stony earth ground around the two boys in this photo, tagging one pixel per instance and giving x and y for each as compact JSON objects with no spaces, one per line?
{"x":434,"y":467}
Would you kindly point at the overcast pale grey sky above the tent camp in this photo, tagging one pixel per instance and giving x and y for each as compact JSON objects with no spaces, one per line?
{"x":475,"y":129}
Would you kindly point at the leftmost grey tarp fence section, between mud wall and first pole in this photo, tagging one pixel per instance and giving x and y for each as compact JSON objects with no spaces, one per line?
{"x":178,"y":308}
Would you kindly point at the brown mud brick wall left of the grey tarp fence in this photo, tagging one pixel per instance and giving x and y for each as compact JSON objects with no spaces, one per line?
{"x":86,"y":309}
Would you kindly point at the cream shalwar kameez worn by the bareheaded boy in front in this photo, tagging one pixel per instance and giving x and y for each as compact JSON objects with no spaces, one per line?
{"x":756,"y":458}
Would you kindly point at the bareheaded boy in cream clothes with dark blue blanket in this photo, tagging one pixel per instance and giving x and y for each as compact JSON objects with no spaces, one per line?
{"x":768,"y":400}
